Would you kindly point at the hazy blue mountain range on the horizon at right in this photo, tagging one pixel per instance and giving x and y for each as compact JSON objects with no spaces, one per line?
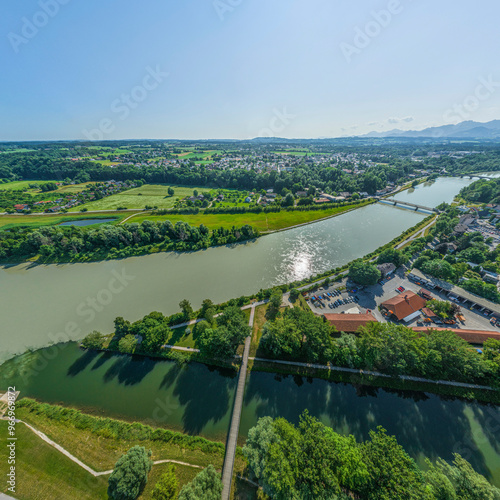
{"x":464,"y":130}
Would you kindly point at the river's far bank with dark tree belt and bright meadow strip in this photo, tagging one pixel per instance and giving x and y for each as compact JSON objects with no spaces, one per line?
{"x":213,"y":230}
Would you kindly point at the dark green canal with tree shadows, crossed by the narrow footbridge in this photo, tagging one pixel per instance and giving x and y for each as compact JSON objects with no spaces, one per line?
{"x":197,"y":399}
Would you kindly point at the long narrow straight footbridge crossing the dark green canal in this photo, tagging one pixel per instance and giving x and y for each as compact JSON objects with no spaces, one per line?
{"x":227,"y":470}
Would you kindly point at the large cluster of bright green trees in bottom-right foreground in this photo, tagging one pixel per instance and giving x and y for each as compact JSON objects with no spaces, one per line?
{"x":313,"y":462}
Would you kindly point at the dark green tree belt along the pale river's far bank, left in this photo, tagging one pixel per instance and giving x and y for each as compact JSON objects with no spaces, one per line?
{"x":73,"y":243}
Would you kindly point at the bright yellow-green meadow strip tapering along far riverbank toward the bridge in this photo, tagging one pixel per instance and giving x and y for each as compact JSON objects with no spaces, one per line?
{"x":263,"y":222}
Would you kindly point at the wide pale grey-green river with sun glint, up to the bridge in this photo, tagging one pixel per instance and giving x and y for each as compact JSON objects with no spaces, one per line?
{"x":44,"y":304}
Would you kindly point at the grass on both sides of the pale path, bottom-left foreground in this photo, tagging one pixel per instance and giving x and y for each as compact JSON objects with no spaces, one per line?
{"x":44,"y":473}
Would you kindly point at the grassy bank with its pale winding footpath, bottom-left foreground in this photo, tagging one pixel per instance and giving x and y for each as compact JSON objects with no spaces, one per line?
{"x":96,"y":443}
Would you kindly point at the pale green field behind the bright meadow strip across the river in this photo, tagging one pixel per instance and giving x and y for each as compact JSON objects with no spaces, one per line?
{"x":154,"y":195}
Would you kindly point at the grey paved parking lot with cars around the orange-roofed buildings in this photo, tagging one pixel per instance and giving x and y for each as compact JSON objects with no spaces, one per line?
{"x":369,"y":298}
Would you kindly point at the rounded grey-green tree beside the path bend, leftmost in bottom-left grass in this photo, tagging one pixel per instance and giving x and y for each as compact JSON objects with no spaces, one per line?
{"x":130,"y":474}
